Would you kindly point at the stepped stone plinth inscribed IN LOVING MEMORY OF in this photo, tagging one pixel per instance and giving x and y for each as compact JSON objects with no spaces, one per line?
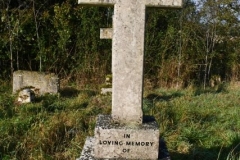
{"x":114,"y":141}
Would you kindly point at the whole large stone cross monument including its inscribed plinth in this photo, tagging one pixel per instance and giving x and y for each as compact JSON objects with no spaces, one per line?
{"x":126,"y":133}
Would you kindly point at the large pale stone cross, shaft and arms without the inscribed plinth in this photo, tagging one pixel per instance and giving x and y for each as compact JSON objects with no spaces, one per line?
{"x":128,"y":55}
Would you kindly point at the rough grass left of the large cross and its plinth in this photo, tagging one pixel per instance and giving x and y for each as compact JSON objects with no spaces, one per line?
{"x":53,"y":127}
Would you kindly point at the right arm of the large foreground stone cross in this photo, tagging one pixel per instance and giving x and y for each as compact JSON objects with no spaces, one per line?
{"x":164,"y":3}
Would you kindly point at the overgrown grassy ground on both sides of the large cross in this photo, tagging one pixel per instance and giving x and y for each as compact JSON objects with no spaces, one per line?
{"x":196,"y":124}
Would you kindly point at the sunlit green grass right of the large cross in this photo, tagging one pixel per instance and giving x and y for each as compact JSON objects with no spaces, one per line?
{"x":197,"y":126}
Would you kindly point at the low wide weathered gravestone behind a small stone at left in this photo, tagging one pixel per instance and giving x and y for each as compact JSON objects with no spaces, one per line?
{"x":39,"y":82}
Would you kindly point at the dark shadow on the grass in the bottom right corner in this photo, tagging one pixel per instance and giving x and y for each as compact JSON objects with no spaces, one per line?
{"x":217,"y":153}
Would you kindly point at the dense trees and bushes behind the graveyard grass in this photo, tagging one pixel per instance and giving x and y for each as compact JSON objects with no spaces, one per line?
{"x":198,"y":44}
